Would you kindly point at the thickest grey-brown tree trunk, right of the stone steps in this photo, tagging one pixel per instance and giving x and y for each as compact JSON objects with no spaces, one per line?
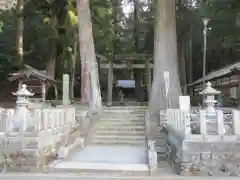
{"x":165,"y":57}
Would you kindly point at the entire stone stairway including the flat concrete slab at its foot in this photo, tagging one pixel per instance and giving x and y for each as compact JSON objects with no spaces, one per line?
{"x":117,"y":145}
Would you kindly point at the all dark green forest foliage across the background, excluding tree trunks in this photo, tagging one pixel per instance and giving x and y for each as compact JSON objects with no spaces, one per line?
{"x":114,"y":31}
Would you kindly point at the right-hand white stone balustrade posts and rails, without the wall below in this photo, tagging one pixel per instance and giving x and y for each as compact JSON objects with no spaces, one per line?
{"x":197,"y":126}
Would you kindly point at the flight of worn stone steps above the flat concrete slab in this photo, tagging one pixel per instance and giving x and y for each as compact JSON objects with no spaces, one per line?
{"x":121,"y":126}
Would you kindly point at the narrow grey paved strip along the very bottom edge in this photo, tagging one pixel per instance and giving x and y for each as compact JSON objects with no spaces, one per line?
{"x":21,"y":176}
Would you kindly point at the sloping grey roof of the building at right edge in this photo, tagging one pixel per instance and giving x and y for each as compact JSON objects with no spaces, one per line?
{"x":218,"y":73}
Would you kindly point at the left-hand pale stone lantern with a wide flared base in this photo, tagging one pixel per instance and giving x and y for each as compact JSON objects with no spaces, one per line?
{"x":22,"y":119}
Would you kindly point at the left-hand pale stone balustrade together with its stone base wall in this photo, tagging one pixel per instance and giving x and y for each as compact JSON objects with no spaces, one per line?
{"x":52,"y":127}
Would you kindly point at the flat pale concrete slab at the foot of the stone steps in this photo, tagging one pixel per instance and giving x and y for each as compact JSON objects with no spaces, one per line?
{"x":105,"y":159}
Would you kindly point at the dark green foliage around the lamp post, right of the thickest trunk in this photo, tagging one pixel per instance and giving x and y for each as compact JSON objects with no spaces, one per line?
{"x":222,"y":32}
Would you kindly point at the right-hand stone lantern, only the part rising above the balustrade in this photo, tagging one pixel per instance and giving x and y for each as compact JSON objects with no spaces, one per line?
{"x":209,"y":100}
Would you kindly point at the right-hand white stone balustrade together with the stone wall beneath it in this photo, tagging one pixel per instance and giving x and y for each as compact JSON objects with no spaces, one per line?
{"x":203,"y":145}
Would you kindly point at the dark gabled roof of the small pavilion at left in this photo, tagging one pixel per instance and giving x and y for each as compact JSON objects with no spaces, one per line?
{"x":28,"y":71}
